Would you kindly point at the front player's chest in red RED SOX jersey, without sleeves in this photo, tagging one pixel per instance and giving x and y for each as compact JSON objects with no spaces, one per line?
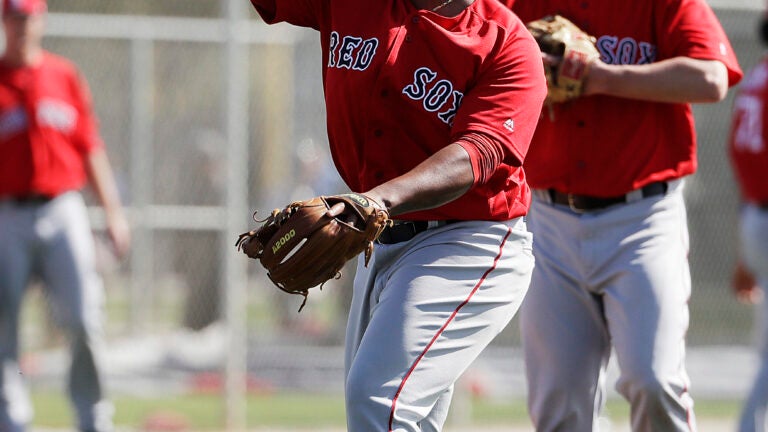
{"x":394,"y":81}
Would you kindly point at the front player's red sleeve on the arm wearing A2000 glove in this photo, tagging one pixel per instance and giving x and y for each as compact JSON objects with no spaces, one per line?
{"x":506,"y":100}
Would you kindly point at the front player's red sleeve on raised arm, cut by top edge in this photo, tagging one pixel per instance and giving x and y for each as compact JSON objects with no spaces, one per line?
{"x":302,"y":13}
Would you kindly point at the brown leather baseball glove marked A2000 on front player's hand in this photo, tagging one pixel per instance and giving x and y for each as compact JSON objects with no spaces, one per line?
{"x":302,"y":245}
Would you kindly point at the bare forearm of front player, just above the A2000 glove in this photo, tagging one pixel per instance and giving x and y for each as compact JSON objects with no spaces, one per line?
{"x":440,"y":179}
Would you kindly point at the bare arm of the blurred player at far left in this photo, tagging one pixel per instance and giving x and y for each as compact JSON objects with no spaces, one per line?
{"x":103,"y":183}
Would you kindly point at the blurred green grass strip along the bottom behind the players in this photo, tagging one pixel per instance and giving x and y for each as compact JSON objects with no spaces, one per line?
{"x":205,"y":412}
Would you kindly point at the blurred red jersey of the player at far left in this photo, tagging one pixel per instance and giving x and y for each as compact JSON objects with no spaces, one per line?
{"x":46,"y":128}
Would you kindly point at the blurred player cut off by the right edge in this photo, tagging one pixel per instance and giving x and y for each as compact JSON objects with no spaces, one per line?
{"x":748,"y":149}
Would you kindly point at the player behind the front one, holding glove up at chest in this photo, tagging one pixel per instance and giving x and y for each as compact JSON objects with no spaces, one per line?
{"x":608,"y":215}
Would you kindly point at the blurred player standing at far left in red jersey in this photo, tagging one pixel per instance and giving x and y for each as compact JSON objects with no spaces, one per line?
{"x":50,"y":147}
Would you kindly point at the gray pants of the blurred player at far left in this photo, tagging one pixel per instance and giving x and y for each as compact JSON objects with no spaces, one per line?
{"x":54,"y":241}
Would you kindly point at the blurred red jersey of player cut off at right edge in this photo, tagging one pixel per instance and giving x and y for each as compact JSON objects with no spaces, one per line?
{"x":749,"y":135}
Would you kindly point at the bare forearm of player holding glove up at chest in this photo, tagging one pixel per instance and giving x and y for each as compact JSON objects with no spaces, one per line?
{"x":676,"y":80}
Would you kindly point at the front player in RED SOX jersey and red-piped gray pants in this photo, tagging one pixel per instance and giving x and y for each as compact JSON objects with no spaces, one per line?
{"x":430,"y":108}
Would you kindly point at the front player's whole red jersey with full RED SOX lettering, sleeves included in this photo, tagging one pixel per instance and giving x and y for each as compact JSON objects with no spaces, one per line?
{"x":402,"y":83}
